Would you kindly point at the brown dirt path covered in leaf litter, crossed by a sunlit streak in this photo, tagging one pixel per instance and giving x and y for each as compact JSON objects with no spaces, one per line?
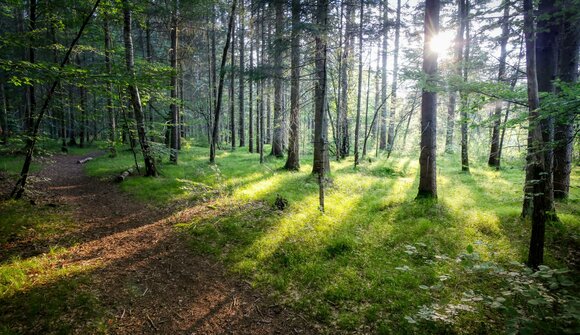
{"x":144,"y":272}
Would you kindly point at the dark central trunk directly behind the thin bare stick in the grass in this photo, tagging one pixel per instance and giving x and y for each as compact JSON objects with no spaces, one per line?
{"x":321,"y":164}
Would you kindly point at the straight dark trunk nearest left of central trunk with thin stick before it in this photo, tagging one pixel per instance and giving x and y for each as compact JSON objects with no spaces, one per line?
{"x":293,"y":161}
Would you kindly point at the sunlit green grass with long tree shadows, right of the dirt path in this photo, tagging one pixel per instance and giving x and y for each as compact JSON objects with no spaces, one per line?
{"x":366,"y":263}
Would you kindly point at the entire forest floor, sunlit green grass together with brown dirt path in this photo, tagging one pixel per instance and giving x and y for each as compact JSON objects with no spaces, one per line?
{"x":377,"y":262}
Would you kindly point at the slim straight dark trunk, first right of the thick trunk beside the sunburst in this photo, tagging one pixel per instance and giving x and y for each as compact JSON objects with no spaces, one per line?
{"x":465,"y":113}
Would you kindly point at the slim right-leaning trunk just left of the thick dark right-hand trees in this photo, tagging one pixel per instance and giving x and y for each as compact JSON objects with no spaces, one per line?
{"x":493,"y":160}
